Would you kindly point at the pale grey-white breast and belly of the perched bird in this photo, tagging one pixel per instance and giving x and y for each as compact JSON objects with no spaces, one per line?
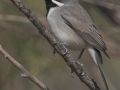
{"x":62,"y":31}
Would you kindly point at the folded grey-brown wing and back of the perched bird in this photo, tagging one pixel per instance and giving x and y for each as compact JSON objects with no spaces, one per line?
{"x":78,"y":19}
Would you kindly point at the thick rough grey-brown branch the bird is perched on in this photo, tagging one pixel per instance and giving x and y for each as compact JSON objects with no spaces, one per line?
{"x":75,"y":66}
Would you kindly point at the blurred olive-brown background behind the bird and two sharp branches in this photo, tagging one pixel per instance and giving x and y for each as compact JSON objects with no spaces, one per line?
{"x":22,"y":41}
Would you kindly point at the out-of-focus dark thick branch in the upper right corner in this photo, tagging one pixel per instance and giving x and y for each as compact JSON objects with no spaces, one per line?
{"x":111,"y":10}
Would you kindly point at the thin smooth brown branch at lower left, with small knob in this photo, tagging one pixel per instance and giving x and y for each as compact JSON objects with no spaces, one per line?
{"x":25,"y":73}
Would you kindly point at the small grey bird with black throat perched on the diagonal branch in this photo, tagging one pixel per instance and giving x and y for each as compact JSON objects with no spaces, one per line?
{"x":72,"y":26}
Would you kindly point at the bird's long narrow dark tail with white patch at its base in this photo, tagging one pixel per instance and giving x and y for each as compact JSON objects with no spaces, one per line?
{"x":96,"y":56}
